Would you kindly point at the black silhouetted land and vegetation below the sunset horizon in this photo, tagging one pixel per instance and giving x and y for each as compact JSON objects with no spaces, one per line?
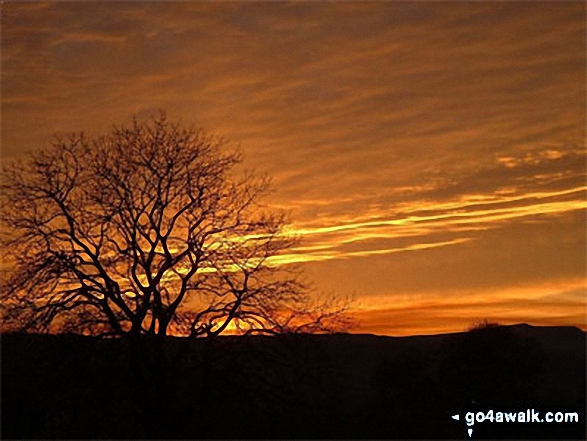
{"x":292,"y":386}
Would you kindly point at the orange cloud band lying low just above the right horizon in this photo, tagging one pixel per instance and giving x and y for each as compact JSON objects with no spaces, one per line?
{"x":562,"y":305}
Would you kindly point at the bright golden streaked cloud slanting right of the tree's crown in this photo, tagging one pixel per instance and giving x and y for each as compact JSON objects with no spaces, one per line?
{"x":470,"y":213}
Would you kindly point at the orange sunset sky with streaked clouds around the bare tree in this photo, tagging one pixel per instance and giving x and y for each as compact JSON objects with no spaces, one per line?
{"x":431,"y":155}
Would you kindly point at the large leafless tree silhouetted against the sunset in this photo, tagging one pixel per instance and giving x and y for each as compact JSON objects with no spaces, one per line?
{"x":147,"y":231}
